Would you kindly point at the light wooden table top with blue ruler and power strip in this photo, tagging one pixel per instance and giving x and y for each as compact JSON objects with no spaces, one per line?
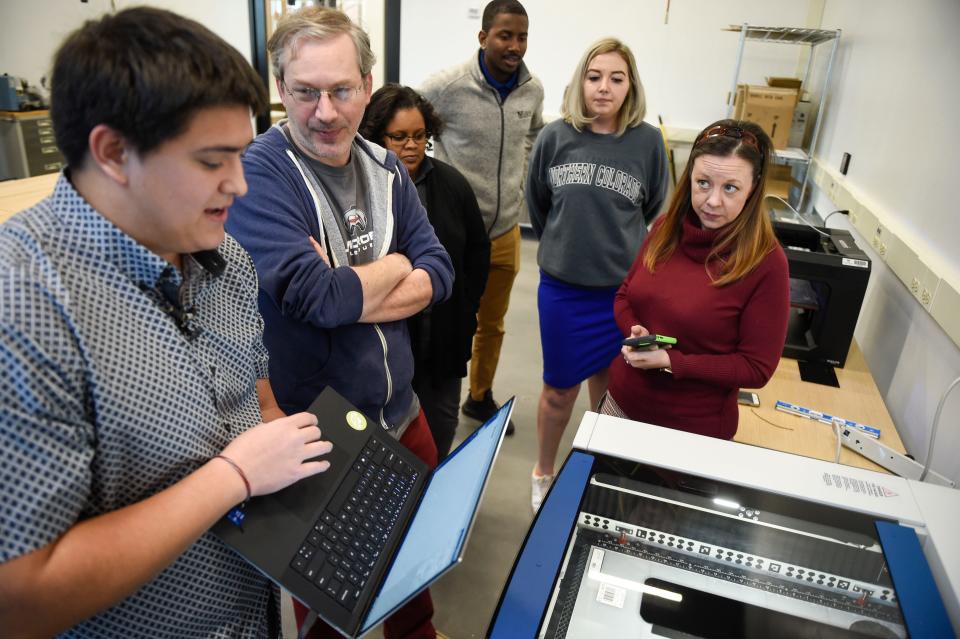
{"x":857,"y":399}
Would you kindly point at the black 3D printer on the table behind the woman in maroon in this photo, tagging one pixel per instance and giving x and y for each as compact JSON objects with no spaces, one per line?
{"x":828,"y":279}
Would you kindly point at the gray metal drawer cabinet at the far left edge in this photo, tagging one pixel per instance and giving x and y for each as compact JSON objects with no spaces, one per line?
{"x":27,"y":145}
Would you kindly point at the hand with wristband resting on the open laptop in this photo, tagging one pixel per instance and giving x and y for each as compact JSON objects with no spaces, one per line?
{"x":275,"y":454}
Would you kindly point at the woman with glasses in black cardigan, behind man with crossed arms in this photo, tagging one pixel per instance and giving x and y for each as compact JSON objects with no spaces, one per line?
{"x":440,"y":336}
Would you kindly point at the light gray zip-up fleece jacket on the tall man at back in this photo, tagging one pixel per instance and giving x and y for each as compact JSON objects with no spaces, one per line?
{"x":485,"y":139}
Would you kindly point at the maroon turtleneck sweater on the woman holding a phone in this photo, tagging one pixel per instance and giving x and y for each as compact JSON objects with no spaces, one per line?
{"x":727,"y":337}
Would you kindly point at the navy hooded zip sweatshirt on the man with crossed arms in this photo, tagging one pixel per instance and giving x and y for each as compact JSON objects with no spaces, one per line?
{"x":311,"y":311}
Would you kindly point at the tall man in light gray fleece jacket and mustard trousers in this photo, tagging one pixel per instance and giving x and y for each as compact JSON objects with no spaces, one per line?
{"x":492,"y":108}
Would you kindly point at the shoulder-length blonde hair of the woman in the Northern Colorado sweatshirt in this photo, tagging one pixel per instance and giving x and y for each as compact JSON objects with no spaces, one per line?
{"x":634,"y":106}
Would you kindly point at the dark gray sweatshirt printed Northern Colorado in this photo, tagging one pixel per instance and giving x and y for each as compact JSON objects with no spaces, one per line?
{"x":590,"y":199}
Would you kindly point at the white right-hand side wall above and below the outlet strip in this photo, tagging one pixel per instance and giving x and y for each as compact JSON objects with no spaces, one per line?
{"x":893,"y":107}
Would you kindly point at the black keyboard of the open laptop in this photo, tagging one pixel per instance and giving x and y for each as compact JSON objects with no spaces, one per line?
{"x":344,"y":544}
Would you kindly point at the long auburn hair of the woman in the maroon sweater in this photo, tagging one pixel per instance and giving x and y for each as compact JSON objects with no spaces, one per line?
{"x":742,"y":244}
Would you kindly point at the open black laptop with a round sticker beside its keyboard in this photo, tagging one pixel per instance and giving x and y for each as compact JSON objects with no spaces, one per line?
{"x":358,"y":541}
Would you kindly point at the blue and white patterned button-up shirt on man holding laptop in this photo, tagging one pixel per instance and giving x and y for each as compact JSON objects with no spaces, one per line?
{"x":106,"y":400}
